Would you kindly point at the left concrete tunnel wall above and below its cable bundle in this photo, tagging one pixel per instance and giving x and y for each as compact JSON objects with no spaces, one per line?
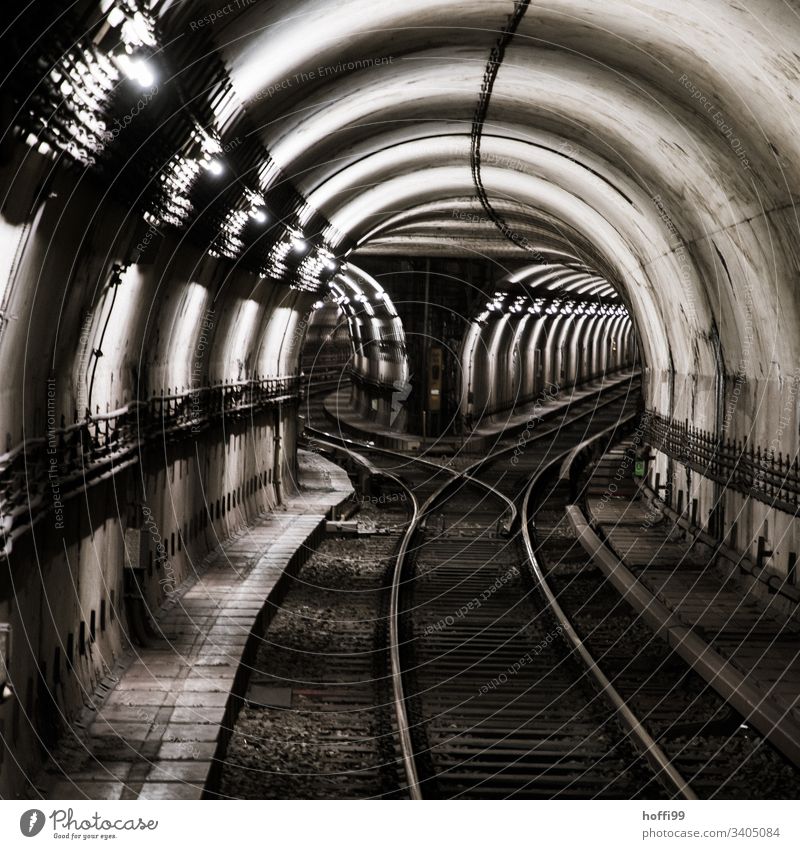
{"x":179,"y":321}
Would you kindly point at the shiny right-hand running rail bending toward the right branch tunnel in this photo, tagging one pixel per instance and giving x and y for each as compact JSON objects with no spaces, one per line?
{"x":654,"y":754}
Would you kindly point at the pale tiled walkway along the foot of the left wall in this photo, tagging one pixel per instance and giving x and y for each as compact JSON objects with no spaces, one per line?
{"x":155,"y":733}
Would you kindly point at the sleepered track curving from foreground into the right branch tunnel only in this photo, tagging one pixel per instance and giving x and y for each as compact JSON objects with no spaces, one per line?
{"x":500,"y":705}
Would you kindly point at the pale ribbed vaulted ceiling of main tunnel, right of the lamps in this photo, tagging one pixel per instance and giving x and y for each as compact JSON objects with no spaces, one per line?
{"x":657,"y":144}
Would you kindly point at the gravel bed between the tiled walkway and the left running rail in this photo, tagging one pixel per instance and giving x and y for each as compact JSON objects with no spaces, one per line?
{"x":317,"y":721}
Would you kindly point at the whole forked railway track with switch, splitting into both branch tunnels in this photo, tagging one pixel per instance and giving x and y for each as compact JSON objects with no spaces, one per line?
{"x":485,"y":679}
